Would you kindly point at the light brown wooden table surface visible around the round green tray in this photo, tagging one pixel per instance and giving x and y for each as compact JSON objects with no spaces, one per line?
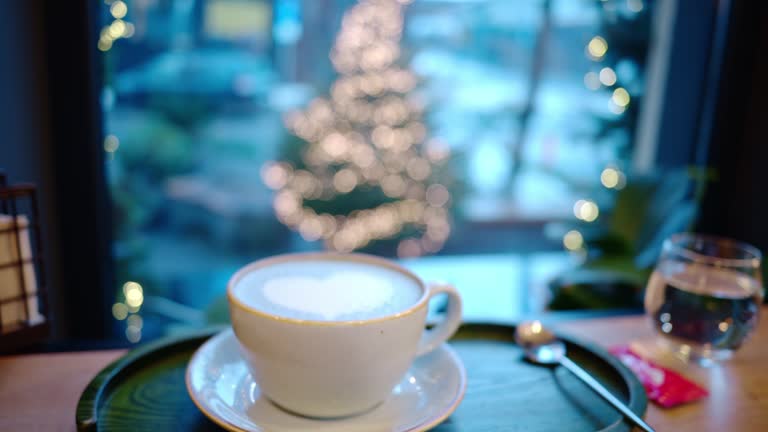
{"x":40,"y":392}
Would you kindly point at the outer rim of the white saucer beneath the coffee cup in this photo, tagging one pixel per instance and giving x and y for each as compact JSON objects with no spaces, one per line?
{"x":423,"y":426}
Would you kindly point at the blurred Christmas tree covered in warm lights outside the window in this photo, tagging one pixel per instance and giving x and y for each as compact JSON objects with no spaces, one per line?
{"x":359,"y":169}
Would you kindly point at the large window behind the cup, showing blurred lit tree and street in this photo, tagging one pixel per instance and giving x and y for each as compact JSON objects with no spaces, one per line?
{"x":237,"y":129}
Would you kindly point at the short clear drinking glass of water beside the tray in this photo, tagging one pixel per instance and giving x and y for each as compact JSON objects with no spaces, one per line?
{"x":704,"y":296}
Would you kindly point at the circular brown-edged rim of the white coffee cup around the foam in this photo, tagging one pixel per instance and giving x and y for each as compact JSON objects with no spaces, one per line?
{"x":324,"y":256}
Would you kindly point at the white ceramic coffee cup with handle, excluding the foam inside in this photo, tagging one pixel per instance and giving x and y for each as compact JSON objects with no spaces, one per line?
{"x":326,"y":368}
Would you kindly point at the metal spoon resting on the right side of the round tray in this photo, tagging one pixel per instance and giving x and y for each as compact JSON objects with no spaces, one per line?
{"x":542,"y":347}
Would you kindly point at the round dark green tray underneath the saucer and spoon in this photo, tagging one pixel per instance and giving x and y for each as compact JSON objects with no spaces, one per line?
{"x":145,"y":391}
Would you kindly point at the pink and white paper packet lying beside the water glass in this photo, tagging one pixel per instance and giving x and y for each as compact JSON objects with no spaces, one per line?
{"x":664,"y":386}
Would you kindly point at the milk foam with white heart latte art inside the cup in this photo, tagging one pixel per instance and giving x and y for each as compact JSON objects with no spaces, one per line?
{"x":328,"y":290}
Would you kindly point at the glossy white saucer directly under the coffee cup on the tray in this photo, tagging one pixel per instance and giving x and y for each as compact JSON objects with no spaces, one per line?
{"x":220,"y":385}
